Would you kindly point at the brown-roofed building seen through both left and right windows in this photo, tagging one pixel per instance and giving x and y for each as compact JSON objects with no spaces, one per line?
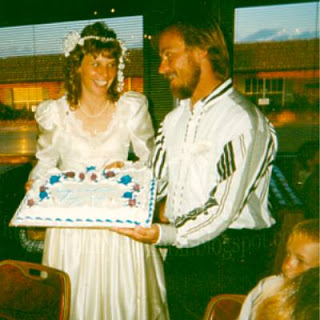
{"x":274,"y":75}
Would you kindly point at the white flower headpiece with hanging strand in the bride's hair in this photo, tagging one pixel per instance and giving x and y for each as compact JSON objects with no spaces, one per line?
{"x":74,"y":38}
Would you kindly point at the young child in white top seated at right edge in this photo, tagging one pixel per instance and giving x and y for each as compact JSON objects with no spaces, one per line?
{"x":302,"y":253}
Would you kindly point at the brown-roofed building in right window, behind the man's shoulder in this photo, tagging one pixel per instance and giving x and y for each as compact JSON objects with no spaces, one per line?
{"x":278,"y":75}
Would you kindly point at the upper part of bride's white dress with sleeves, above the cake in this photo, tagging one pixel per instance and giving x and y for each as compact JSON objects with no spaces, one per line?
{"x":64,"y":143}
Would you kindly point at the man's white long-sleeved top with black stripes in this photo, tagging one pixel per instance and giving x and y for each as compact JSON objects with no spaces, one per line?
{"x":214,"y":165}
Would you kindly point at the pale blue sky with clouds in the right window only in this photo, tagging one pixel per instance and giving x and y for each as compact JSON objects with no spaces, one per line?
{"x":277,"y":22}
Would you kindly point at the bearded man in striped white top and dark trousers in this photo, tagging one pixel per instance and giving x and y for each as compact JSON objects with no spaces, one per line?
{"x":213,"y":161}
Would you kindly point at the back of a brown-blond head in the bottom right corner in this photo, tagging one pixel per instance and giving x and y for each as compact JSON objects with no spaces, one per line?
{"x":297,"y":299}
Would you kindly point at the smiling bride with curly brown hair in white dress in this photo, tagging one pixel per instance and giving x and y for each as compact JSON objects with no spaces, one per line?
{"x":112,"y":276}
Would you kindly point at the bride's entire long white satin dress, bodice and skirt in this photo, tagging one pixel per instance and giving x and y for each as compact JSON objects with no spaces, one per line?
{"x":112,"y":276}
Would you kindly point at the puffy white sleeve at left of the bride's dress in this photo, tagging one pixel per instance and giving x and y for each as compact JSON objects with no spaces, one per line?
{"x":47,"y":117}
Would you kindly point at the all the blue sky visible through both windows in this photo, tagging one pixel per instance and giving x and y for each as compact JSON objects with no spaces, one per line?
{"x":252,"y":24}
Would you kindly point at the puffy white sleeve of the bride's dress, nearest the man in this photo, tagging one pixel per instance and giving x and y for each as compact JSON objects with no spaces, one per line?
{"x":139,"y":125}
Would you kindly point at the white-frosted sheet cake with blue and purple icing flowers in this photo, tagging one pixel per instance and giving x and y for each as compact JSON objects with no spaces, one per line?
{"x":114,"y":197}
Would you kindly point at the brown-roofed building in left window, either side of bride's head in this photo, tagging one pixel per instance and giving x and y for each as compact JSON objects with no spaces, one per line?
{"x":26,"y":81}
